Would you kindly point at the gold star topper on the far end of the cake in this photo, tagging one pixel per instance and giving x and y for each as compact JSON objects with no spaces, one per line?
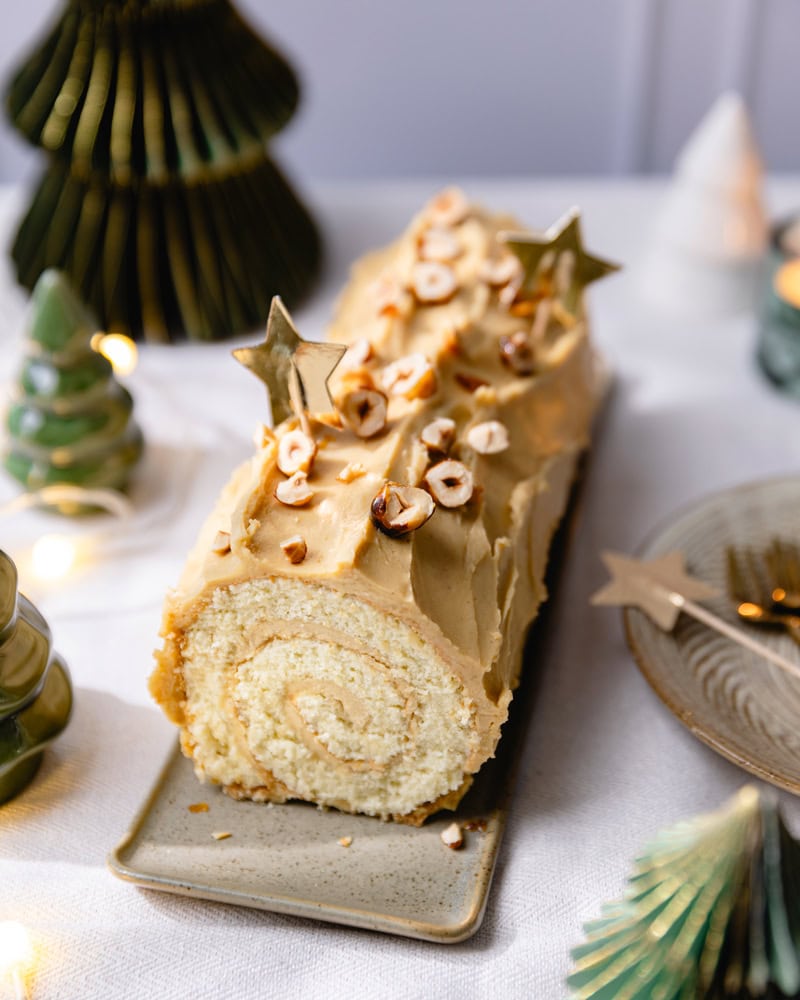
{"x":556,"y":260}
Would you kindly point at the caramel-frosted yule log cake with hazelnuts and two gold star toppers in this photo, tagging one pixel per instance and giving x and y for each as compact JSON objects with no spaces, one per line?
{"x":348,"y":629}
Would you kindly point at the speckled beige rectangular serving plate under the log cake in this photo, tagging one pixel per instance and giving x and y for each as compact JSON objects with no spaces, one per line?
{"x":287,"y":858}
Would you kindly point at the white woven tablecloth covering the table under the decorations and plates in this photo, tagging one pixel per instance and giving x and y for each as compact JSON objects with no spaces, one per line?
{"x":605,"y":764}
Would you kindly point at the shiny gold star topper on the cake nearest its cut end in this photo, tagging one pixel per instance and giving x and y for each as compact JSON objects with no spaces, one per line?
{"x":295,"y":371}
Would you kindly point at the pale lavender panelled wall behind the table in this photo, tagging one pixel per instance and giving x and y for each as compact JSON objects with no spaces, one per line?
{"x":496,"y":87}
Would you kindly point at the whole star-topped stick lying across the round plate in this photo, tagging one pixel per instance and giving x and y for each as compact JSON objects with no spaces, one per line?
{"x":662,"y":588}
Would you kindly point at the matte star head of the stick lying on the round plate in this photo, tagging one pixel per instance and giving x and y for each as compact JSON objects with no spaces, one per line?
{"x":652,"y":585}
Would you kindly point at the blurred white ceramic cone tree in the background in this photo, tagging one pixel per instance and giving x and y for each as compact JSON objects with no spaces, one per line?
{"x":711,"y":232}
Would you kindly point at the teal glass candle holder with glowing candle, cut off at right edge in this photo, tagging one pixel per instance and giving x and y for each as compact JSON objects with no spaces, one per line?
{"x":779,"y":334}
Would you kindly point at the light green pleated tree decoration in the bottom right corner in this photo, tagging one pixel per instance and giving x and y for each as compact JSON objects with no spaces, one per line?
{"x":712,"y":910}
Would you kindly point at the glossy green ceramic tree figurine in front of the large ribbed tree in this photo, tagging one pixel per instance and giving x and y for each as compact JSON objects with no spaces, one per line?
{"x":70,"y":420}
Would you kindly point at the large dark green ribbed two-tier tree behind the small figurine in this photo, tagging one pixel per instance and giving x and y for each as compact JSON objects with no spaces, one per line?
{"x":159,"y":200}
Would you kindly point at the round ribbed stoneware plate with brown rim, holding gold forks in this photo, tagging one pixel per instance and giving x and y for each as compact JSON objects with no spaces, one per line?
{"x":733,"y":700}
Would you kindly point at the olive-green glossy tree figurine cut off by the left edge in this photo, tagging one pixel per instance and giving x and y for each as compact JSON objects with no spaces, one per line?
{"x":35,"y":690}
